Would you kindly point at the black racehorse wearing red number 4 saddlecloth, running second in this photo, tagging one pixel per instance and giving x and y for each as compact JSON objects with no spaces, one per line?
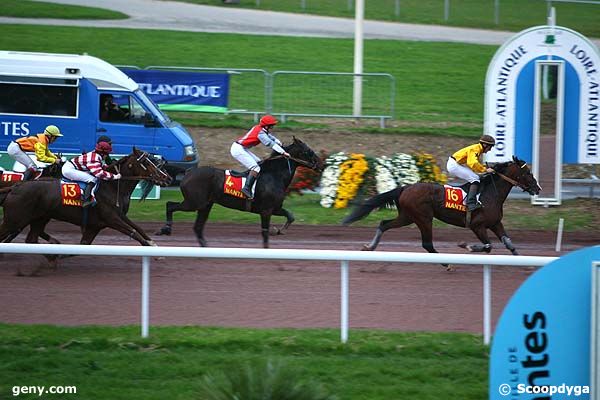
{"x":204,"y":186}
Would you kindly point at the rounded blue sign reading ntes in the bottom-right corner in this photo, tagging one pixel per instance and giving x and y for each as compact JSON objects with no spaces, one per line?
{"x":541,"y":346}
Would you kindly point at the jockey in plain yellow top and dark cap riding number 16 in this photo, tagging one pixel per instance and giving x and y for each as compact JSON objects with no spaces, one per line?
{"x":466,"y":164}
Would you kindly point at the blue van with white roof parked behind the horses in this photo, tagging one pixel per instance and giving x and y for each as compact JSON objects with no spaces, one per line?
{"x":40,"y":89}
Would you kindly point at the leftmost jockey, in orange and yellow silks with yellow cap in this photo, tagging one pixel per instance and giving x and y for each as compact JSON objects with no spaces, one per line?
{"x":38,"y":144}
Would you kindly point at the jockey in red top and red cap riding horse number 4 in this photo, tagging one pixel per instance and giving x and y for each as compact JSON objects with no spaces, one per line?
{"x":240,"y":149}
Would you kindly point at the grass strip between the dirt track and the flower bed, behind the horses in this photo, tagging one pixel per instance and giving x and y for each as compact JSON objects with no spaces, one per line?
{"x":518,"y":214}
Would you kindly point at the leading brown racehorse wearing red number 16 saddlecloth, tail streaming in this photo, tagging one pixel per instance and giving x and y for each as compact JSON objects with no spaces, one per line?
{"x":421,"y":202}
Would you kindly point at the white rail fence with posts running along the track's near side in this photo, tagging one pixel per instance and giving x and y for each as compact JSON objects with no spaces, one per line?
{"x":344,"y":257}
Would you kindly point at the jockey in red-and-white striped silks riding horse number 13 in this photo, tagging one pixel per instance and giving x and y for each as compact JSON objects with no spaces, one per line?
{"x":89,"y":168}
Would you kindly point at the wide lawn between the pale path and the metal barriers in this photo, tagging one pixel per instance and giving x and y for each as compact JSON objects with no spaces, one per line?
{"x":424,"y":95}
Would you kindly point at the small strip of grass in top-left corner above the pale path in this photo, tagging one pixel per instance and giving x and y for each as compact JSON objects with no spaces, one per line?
{"x":40,"y":9}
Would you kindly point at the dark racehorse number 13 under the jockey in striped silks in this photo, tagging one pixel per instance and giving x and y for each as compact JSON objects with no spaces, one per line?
{"x":35,"y":203}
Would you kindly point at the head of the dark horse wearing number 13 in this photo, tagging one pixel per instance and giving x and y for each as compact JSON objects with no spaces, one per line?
{"x":144,"y":166}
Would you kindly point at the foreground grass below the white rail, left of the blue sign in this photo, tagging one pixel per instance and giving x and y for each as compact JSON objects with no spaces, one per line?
{"x":114,"y":363}
